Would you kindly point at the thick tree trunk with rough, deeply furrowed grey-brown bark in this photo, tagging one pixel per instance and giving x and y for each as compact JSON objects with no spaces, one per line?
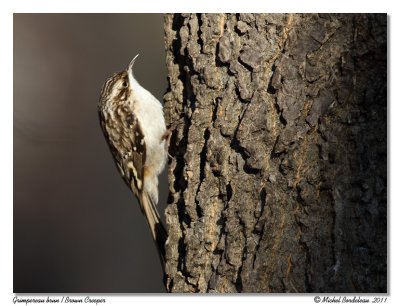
{"x":278,"y":176}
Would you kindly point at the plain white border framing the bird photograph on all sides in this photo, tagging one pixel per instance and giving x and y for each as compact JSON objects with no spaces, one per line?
{"x":125,"y":6}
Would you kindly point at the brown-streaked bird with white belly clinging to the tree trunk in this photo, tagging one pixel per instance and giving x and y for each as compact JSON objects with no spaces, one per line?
{"x":133,"y":124}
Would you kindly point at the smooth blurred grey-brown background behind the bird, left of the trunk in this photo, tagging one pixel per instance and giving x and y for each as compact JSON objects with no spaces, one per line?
{"x":77,"y":227}
